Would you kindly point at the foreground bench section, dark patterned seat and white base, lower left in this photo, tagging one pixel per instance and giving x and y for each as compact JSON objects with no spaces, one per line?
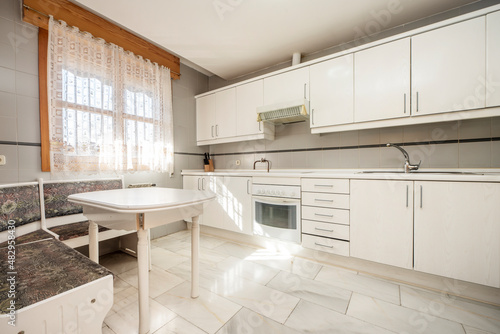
{"x":54,"y":285}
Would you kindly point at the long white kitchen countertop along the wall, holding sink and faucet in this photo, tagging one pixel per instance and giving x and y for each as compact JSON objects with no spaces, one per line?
{"x":478,"y":175}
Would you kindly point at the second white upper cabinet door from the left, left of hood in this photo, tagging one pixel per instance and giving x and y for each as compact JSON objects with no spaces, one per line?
{"x":225,"y":114}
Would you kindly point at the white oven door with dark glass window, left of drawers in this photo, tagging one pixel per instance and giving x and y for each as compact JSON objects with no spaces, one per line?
{"x":276,"y":218}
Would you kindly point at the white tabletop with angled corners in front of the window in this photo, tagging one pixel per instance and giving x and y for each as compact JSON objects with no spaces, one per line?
{"x":140,"y":200}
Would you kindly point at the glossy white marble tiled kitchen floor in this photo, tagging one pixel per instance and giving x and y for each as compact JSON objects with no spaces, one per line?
{"x":250,"y":290}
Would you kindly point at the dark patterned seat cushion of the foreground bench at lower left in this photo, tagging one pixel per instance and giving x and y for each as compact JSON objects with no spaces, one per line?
{"x":45,"y":269}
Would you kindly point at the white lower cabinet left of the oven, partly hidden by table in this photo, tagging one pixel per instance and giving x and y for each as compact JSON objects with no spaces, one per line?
{"x":232,"y":208}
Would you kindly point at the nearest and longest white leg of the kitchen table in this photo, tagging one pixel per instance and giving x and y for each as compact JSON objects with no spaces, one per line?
{"x":143,"y":274}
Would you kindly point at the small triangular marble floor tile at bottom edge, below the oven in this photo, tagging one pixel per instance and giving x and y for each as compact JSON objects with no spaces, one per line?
{"x":247,"y":321}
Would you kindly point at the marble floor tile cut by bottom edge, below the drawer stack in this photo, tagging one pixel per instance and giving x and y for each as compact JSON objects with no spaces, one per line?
{"x":311,"y":318}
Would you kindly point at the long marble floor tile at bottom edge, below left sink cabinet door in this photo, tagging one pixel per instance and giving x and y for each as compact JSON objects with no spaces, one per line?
{"x":397,"y":318}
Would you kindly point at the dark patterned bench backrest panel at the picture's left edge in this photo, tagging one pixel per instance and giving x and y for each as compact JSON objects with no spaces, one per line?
{"x":20,"y":204}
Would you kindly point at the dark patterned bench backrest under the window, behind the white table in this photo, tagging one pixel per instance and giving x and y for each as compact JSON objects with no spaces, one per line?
{"x":56,"y":195}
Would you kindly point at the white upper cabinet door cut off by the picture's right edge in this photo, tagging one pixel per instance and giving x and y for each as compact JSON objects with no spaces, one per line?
{"x":493,"y":59}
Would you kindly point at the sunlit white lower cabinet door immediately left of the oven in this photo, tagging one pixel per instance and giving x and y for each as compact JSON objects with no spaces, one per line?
{"x":237,"y":204}
